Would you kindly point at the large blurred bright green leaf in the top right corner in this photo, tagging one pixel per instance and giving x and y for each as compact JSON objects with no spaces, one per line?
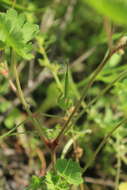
{"x":116,"y":10}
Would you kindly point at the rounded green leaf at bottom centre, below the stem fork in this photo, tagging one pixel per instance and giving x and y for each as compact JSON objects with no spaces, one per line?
{"x":69,"y":170}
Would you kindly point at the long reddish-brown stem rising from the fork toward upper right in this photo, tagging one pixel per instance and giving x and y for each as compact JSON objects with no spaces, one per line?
{"x":85,"y":91}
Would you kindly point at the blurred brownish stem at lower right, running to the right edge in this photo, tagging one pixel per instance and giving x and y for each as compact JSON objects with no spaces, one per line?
{"x":103,"y":142}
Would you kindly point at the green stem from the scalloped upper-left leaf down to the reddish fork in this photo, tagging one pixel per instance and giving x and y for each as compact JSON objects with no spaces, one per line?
{"x":22,"y":99}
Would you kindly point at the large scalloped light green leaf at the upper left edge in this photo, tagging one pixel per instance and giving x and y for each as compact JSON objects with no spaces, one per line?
{"x":16,"y":33}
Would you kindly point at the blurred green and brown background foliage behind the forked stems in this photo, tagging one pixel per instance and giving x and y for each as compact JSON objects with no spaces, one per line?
{"x":72,"y":33}
